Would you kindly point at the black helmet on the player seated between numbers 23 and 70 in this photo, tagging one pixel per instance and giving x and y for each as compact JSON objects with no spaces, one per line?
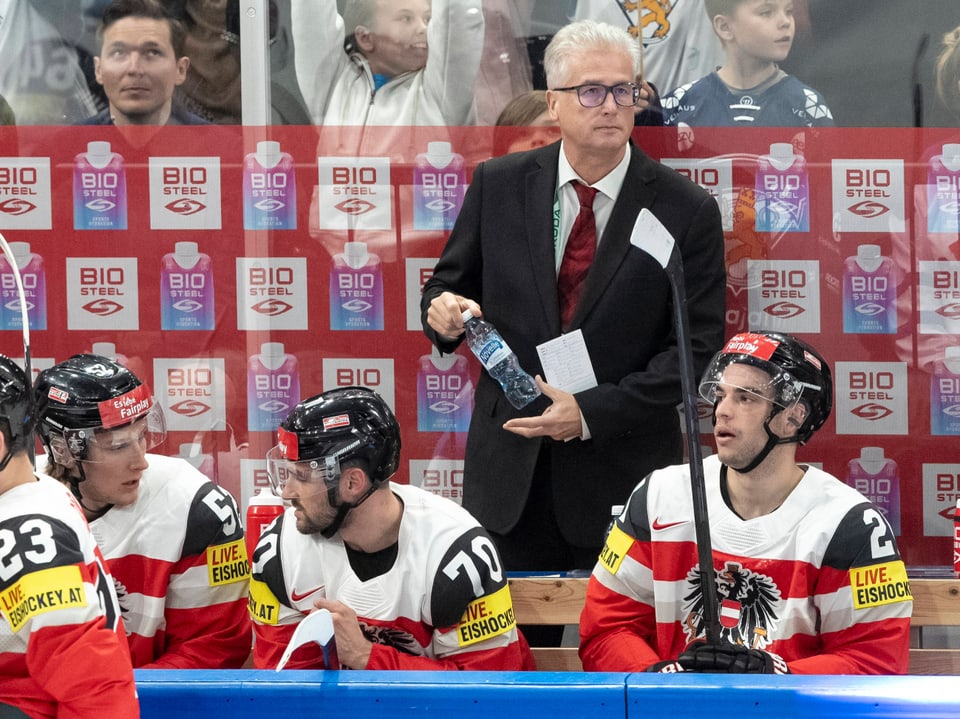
{"x":85,"y":395}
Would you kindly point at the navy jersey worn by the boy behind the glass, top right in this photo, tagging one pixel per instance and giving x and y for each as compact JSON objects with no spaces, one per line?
{"x":708,"y":102}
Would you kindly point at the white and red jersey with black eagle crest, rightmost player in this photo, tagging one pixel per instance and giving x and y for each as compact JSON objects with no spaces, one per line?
{"x":818,"y":581}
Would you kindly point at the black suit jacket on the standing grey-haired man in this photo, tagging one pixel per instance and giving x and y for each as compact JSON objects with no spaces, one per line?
{"x":500,"y":253}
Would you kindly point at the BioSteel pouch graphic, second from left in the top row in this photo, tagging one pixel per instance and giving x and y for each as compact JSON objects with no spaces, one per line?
{"x":269,"y":189}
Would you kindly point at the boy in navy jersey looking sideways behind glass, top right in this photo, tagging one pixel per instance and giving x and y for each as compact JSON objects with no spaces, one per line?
{"x":749,"y":88}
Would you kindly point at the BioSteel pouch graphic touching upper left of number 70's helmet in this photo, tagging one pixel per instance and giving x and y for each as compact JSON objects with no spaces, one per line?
{"x":273,"y":387}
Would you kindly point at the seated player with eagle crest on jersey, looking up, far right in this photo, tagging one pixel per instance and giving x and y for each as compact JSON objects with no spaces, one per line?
{"x":808,"y":577}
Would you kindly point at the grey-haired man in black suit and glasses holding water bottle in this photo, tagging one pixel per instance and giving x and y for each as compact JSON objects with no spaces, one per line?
{"x":542,"y":480}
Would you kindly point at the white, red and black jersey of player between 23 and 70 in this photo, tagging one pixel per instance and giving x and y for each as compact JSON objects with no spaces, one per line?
{"x":180,"y":563}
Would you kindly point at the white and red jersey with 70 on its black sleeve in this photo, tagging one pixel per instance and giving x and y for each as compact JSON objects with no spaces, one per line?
{"x":443,"y":604}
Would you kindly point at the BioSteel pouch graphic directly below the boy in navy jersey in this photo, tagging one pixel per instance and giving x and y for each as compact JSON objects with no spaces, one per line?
{"x":783,"y":191}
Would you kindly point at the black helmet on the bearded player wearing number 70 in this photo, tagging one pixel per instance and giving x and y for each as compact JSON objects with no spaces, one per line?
{"x":324,"y":431}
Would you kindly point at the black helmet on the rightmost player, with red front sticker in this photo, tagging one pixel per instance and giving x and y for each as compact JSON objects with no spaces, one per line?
{"x":798,"y":374}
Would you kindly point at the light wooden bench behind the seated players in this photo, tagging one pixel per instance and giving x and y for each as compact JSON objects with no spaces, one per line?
{"x":558,"y":601}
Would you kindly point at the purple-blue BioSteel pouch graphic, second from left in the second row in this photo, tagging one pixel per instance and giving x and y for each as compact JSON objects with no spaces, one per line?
{"x":186,"y":289}
